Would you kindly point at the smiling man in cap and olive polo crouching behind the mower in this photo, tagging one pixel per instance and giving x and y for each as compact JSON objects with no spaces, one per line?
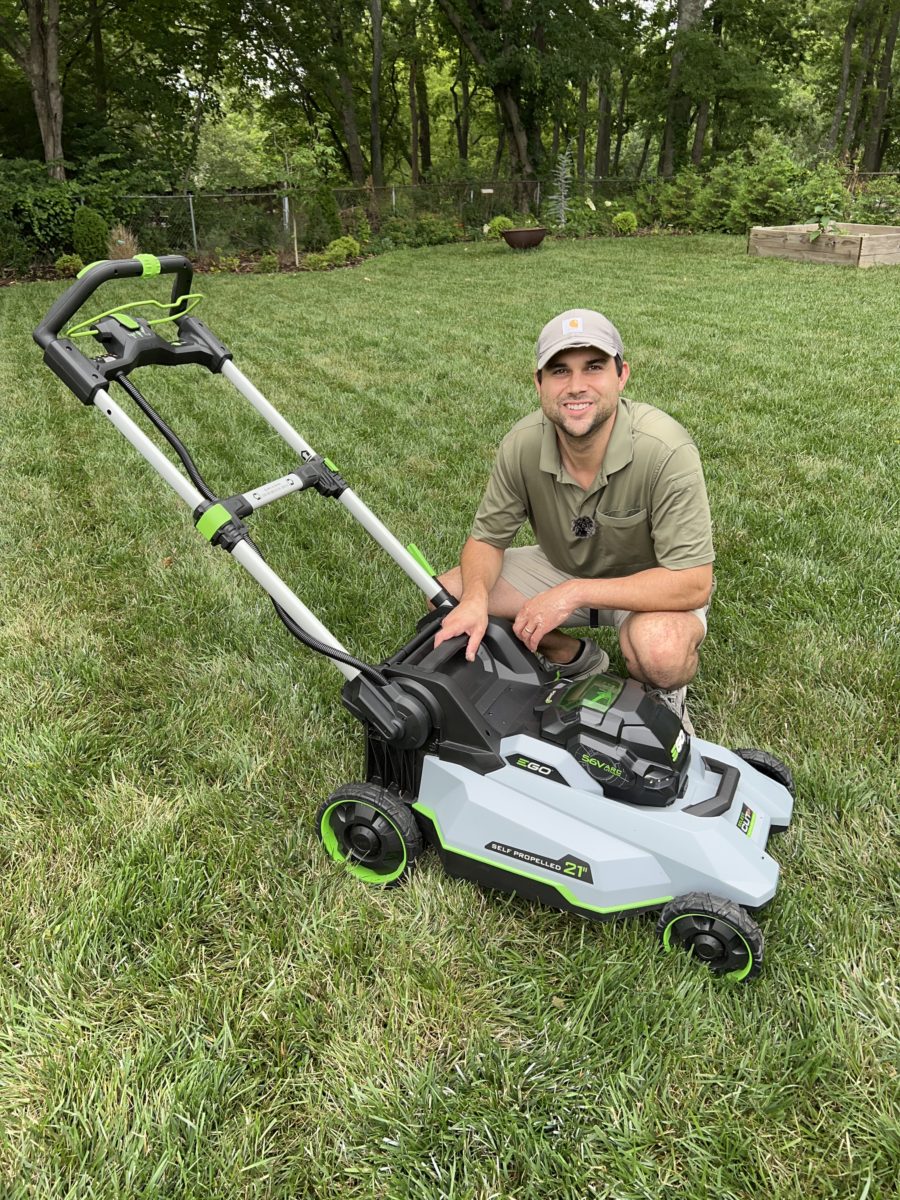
{"x":615,"y":494}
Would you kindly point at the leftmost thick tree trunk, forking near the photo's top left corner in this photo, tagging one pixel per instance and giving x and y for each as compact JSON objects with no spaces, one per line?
{"x":39,"y":62}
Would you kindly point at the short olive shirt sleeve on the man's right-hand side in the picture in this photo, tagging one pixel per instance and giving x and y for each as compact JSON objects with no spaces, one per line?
{"x":681,"y":525}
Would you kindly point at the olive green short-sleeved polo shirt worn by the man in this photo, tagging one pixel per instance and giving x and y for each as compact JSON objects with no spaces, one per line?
{"x":649,"y":502}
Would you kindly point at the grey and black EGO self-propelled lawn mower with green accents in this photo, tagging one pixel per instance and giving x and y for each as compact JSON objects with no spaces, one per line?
{"x":587,"y":796}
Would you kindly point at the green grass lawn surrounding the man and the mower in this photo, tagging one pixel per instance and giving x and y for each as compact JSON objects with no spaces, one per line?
{"x":195,"y":1003}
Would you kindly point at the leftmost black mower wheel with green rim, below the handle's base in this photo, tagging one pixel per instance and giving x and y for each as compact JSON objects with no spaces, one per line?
{"x":371,"y":831}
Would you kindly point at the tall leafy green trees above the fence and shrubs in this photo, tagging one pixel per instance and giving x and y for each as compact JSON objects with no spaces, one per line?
{"x":413,"y":91}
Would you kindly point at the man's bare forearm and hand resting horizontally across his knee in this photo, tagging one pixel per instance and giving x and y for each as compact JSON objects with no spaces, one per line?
{"x":658,"y":590}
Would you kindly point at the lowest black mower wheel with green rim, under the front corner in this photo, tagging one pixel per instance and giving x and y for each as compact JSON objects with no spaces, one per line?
{"x":717,"y":932}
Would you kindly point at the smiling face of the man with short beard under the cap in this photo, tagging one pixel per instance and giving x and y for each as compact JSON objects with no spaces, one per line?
{"x":580,"y":391}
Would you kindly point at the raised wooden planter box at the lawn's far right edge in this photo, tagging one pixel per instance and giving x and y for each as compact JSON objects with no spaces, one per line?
{"x":850,"y":245}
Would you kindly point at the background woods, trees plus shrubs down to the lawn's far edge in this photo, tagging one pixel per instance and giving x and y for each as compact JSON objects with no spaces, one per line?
{"x":639,"y":99}
